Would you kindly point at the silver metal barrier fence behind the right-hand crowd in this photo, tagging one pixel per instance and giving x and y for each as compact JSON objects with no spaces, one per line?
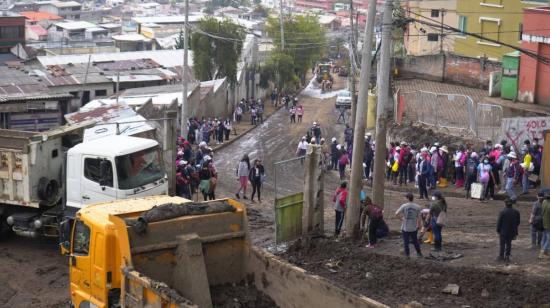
{"x":451,"y":111}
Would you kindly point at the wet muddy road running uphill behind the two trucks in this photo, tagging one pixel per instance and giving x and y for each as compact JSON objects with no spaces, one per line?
{"x":273,"y":141}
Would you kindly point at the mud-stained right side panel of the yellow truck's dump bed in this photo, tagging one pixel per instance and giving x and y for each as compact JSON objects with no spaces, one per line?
{"x":291,"y":286}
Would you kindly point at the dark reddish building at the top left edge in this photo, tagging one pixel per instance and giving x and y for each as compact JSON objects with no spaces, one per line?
{"x":12,"y":31}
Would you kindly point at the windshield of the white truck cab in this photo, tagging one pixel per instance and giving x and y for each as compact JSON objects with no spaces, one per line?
{"x":140,"y":168}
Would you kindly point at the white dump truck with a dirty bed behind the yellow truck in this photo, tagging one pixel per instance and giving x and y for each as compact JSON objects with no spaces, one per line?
{"x":46,"y":177}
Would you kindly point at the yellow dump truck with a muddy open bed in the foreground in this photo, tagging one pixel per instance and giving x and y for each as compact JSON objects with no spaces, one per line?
{"x":168,"y":252}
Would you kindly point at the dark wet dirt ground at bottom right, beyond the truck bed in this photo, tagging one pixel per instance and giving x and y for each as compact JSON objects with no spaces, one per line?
{"x":395,"y":280}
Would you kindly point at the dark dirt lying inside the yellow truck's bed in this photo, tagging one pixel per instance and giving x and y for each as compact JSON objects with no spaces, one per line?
{"x":240,"y":296}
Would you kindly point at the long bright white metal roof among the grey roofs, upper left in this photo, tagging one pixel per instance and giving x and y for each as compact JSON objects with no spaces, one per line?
{"x":166,"y":58}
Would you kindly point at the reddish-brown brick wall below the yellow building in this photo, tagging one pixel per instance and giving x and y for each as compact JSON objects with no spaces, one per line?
{"x":452,"y":68}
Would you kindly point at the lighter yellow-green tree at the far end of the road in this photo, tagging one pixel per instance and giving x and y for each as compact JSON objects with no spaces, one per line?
{"x":305,"y":41}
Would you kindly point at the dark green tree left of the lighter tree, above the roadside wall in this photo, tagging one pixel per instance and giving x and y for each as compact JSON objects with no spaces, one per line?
{"x":217,"y":47}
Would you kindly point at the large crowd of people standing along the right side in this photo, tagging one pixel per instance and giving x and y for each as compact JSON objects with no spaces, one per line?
{"x":491,"y":167}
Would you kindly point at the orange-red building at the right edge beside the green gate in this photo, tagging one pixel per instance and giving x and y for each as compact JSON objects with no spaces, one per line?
{"x":534,"y":75}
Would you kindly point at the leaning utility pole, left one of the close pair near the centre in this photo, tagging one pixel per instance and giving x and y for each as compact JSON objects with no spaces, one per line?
{"x":352,"y":221}
